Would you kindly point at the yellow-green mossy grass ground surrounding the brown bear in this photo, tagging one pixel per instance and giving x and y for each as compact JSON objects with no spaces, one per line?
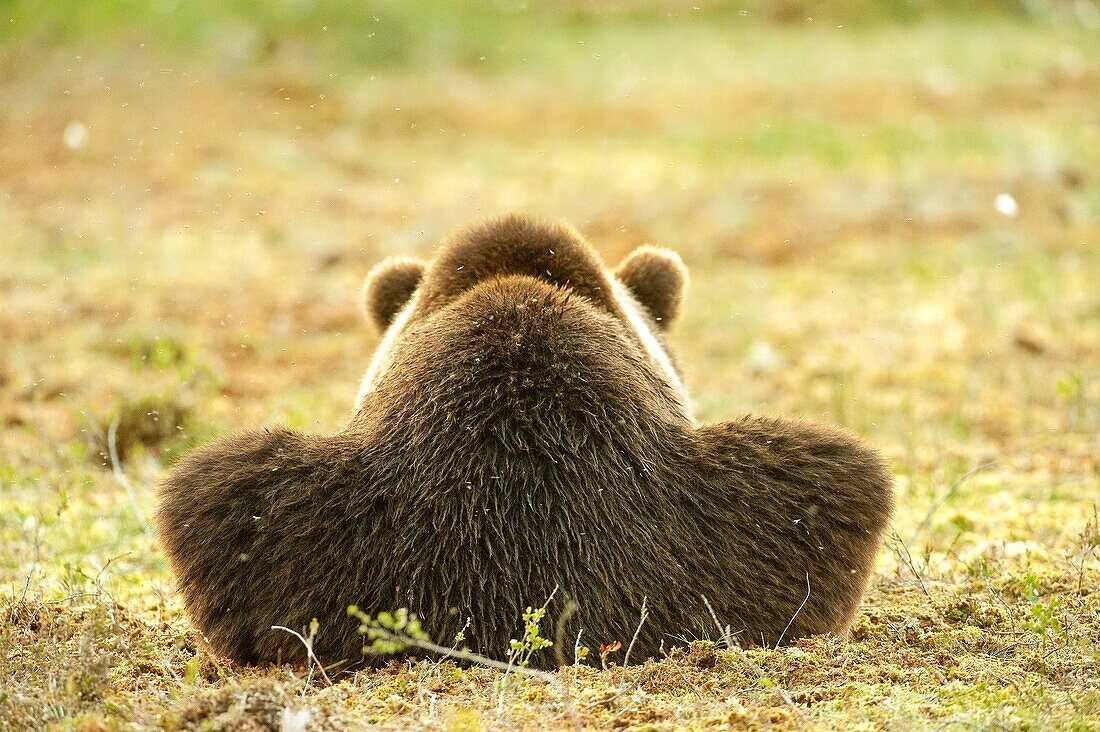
{"x":190,"y":268}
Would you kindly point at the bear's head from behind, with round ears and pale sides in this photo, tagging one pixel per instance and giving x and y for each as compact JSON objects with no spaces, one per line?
{"x":482,"y":274}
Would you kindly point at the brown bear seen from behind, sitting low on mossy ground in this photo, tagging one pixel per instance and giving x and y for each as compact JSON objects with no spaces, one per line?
{"x":523,"y":430}
